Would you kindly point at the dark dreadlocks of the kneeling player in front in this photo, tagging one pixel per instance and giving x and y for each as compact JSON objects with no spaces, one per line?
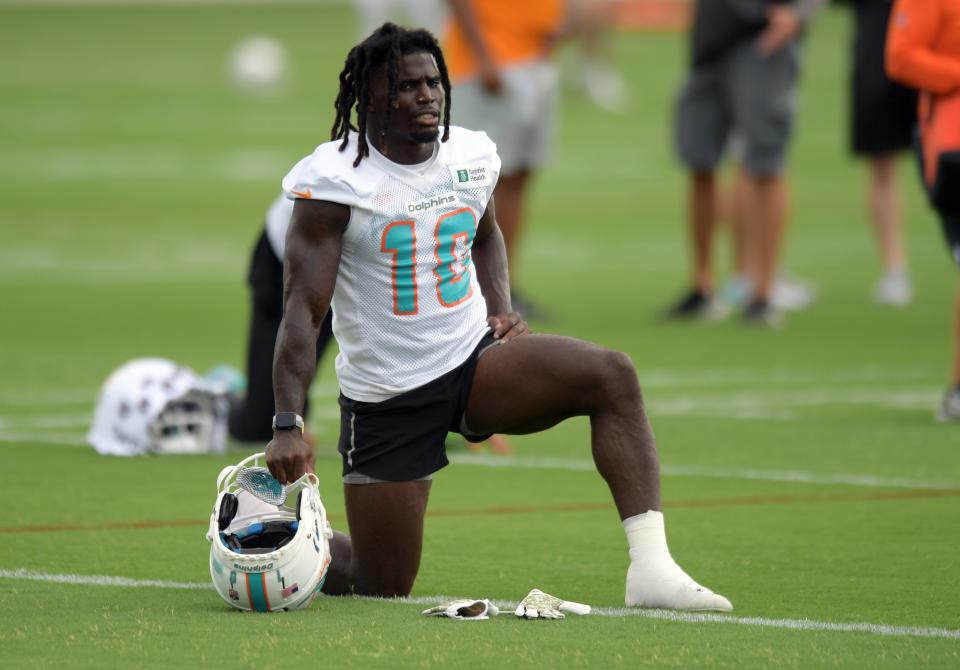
{"x":385,"y":46}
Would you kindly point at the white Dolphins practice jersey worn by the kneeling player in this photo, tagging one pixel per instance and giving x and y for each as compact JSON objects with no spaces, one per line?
{"x":407,"y":306}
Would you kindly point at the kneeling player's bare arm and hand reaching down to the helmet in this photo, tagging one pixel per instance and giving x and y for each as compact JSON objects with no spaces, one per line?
{"x":309,"y":276}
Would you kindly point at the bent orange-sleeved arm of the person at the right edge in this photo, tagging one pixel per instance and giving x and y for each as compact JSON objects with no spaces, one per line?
{"x":910,"y":58}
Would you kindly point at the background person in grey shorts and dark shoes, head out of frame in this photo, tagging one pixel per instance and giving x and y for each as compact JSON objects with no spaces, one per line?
{"x":745,"y":62}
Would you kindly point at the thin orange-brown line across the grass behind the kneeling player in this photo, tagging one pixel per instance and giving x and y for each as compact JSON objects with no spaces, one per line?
{"x":528,"y":509}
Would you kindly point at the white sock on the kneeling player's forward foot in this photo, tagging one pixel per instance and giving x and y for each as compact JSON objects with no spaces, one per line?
{"x":654,"y":579}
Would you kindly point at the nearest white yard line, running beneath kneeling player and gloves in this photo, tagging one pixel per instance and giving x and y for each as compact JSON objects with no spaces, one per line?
{"x":507,"y":606}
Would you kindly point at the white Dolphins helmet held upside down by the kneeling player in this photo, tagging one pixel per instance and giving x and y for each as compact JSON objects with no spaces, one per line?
{"x":266,"y":556}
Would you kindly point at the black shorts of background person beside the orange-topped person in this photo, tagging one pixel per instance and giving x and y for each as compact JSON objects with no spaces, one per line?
{"x":883,"y":113}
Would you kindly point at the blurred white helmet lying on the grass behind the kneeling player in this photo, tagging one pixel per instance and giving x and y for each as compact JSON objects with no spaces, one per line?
{"x":152,"y":405}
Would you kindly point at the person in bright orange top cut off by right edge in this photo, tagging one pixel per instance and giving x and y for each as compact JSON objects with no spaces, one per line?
{"x":923,"y":51}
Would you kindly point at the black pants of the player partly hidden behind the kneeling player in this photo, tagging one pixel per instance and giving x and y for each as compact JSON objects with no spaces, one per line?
{"x":251,"y":417}
